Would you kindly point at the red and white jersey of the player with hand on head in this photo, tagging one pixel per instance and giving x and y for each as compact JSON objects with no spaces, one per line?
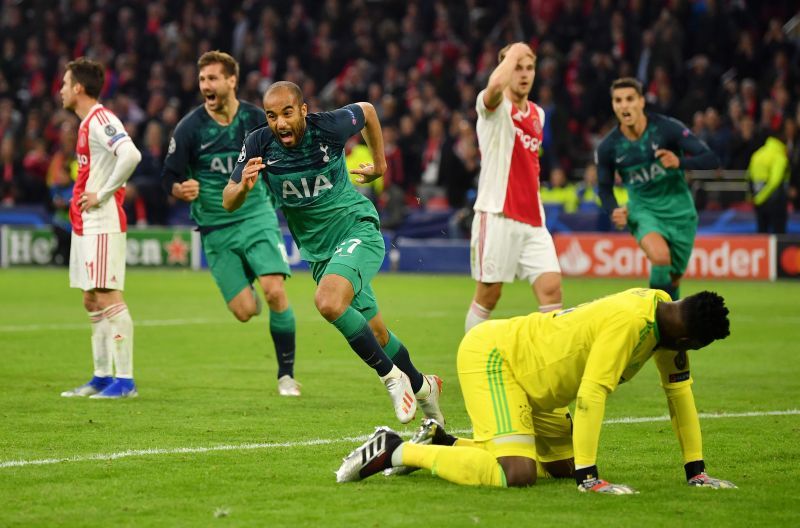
{"x":509,"y":140}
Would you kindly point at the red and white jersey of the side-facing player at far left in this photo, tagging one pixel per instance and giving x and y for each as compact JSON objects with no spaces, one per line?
{"x":99,"y":135}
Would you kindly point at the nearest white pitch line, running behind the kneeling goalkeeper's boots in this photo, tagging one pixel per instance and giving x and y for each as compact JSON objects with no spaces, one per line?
{"x":326,"y":441}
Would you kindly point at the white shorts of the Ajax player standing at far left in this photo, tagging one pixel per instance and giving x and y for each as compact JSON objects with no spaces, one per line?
{"x":97,"y":261}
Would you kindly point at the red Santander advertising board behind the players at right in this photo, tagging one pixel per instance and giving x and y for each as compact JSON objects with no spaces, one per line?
{"x":618,"y":255}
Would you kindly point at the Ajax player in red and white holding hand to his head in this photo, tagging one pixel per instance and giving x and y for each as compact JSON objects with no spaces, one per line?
{"x":509,"y":237}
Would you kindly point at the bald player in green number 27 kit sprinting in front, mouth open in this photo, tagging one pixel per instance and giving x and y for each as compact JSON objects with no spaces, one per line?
{"x":336,"y":228}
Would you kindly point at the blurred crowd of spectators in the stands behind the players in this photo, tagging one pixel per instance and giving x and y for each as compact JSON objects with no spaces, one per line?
{"x":728,"y":69}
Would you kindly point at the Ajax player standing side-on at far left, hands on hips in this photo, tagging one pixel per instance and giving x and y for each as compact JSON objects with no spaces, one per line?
{"x":106,"y":158}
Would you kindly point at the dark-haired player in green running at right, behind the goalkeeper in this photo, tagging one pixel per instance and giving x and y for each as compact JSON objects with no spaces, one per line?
{"x":649,"y":151}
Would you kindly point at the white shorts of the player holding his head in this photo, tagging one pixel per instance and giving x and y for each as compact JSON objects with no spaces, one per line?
{"x":502,"y":249}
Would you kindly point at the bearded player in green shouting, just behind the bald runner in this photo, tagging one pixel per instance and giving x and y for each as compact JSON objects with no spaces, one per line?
{"x":245,"y":245}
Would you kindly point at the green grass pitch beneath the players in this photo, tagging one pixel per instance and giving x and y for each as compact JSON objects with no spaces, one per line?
{"x":210,"y":443}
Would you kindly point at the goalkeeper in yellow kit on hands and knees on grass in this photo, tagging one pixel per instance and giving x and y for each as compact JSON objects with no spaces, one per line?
{"x":518,"y":375}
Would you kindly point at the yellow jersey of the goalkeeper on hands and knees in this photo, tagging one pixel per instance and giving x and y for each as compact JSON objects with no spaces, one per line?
{"x":605,"y":341}
